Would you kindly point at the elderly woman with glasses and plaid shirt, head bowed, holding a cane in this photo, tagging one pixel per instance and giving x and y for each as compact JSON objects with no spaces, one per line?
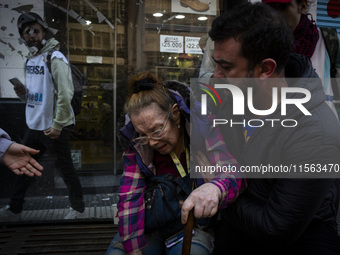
{"x":158,"y":134}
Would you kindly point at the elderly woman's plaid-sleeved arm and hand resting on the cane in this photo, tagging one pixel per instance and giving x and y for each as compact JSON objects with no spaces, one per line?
{"x":223,"y":189}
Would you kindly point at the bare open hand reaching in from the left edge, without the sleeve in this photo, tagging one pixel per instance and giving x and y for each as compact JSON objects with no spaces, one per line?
{"x":18,"y":159}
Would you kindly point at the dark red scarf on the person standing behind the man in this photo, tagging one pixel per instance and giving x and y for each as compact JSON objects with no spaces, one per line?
{"x":306,"y":36}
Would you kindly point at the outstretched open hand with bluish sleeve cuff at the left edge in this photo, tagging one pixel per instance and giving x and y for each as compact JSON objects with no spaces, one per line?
{"x":17,"y":157}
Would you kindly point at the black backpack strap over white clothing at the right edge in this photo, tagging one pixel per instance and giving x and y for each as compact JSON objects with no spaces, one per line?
{"x":330,"y":36}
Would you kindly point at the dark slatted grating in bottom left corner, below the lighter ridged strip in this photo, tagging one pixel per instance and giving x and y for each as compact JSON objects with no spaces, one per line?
{"x":89,"y":239}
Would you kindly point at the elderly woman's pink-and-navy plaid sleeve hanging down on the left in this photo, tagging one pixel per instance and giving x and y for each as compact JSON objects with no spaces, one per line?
{"x":131,"y":205}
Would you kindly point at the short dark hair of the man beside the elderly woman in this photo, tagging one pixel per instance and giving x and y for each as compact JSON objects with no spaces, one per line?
{"x":262,"y":32}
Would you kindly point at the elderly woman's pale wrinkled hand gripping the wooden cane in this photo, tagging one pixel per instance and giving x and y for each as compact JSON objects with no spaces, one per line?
{"x":204,"y":200}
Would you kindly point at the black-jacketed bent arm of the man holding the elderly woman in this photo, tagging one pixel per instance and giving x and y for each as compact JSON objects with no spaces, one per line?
{"x":290,"y":205}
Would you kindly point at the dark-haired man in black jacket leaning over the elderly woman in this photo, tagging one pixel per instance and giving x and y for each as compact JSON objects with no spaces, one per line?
{"x":286,"y":213}
